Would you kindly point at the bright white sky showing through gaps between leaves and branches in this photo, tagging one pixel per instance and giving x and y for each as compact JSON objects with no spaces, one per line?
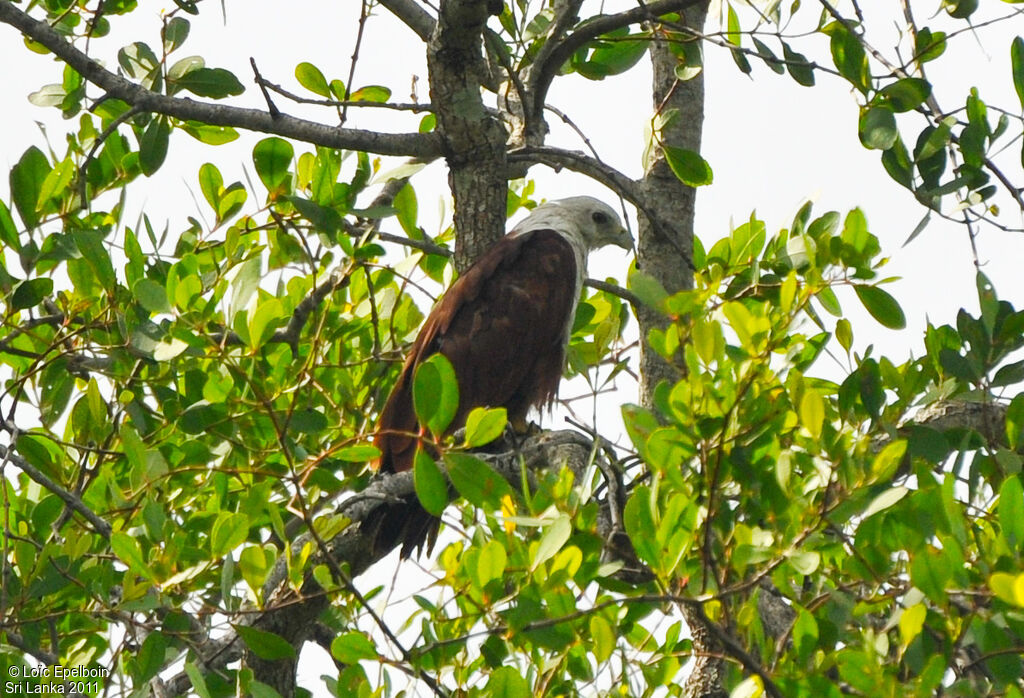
{"x":773,"y":144}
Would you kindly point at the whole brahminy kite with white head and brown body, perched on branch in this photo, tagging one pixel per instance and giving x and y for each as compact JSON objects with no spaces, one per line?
{"x":505,"y":326}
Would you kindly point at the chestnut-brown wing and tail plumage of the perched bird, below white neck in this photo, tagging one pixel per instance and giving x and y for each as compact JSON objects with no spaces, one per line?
{"x":503,"y":327}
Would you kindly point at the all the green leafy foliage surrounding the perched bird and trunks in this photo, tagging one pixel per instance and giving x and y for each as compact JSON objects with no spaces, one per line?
{"x":181,"y":400}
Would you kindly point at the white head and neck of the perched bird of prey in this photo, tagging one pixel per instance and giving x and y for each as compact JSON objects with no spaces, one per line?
{"x":593,"y":222}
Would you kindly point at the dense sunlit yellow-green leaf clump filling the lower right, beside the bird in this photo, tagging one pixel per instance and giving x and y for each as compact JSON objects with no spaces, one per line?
{"x":890,"y":541}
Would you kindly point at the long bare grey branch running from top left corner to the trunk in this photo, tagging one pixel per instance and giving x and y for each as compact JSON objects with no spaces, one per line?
{"x":418,"y":145}
